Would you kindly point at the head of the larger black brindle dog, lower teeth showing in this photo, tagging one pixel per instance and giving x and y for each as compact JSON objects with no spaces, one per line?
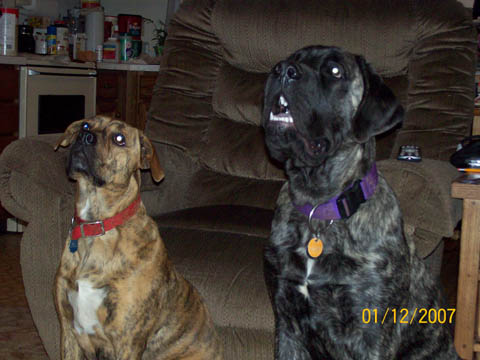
{"x":321,"y":99}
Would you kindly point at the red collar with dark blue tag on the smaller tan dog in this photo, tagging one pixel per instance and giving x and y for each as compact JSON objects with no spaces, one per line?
{"x":84,"y":228}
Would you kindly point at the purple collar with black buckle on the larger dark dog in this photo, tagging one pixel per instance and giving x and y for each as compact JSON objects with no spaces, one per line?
{"x":347,"y":203}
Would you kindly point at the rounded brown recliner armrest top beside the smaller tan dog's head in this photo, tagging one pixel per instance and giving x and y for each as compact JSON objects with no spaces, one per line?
{"x":29,"y":170}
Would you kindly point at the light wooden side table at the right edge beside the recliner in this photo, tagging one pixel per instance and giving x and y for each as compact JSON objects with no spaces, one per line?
{"x":467,"y":320}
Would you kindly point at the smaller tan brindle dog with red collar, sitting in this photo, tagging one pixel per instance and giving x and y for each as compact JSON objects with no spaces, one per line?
{"x":117,"y":294}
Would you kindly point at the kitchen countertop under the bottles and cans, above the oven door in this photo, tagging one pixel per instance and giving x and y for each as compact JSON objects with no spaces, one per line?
{"x":64,"y":61}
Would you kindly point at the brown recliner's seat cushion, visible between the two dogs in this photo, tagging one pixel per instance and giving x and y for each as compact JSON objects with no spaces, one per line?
{"x":227,"y":269}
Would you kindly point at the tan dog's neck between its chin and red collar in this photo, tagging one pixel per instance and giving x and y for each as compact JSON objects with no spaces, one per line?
{"x":97,"y":203}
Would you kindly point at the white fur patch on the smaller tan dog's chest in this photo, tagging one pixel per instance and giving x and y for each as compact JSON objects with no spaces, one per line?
{"x":85,"y":303}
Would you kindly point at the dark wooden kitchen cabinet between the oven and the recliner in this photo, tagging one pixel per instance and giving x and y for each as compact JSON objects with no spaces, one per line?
{"x":125,"y":95}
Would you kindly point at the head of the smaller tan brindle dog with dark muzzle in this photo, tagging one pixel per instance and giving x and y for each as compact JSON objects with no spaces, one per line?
{"x":107,"y":151}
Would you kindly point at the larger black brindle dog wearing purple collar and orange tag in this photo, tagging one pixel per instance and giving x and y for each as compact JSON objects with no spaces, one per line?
{"x":337,"y":251}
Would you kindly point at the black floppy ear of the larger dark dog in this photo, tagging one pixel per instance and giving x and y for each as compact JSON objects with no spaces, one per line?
{"x":379,"y":109}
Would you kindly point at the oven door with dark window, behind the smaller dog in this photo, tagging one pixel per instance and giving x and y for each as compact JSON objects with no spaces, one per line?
{"x":51,"y":98}
